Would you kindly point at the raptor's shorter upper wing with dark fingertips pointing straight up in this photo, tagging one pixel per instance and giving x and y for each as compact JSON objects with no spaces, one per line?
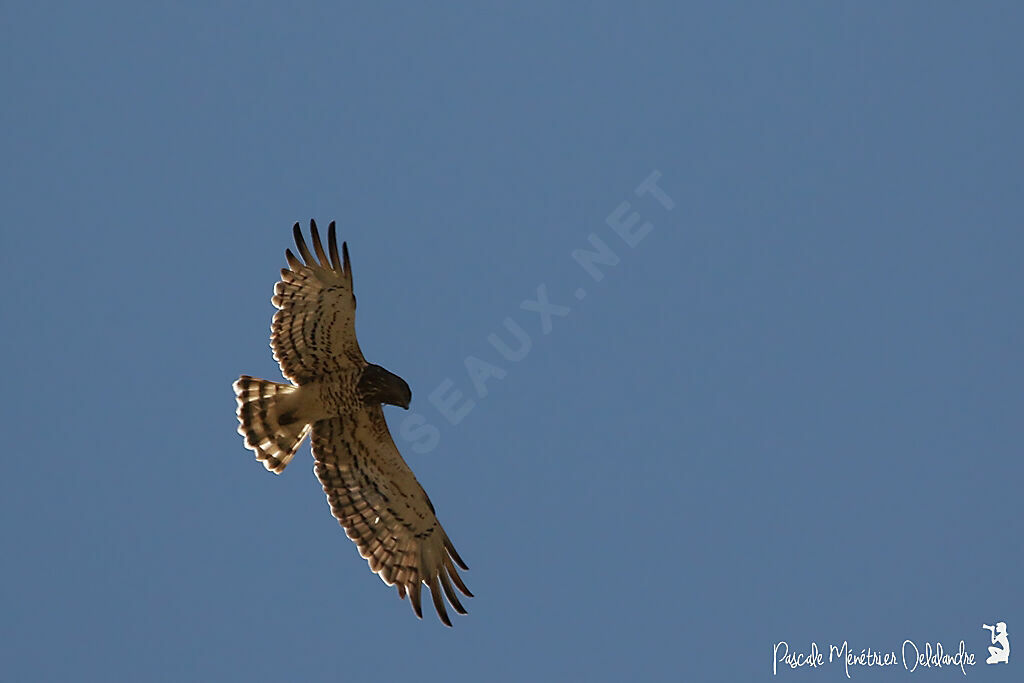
{"x":314,"y":334}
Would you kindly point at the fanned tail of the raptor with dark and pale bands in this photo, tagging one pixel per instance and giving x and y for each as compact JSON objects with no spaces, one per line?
{"x":268,"y":420}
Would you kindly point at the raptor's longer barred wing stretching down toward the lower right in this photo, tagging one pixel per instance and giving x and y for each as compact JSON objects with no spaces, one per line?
{"x":383,"y":508}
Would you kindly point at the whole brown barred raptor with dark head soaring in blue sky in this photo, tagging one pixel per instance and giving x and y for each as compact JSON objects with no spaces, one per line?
{"x":337,"y":397}
